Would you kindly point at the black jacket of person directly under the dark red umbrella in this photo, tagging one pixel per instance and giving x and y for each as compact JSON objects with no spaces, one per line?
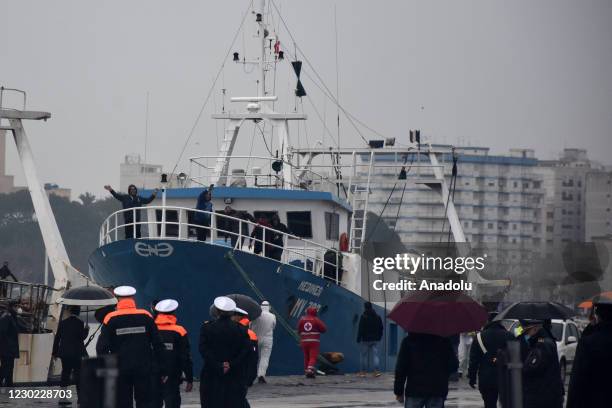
{"x":423,"y":366}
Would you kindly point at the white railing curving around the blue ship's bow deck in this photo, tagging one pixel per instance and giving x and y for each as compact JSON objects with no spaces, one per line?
{"x":188,"y":224}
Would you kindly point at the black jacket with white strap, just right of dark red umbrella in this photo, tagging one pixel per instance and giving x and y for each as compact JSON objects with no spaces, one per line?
{"x":484,"y":365}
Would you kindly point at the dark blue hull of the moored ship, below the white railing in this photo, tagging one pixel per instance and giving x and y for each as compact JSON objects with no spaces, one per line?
{"x":195,"y":273}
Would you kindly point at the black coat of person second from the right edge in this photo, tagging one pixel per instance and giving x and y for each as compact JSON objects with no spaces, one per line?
{"x":542,"y":387}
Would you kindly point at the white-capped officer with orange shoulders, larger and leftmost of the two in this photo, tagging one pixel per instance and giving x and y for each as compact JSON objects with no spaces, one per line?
{"x":131,"y":334}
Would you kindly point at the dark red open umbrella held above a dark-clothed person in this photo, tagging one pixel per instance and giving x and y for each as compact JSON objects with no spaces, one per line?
{"x":442,"y":313}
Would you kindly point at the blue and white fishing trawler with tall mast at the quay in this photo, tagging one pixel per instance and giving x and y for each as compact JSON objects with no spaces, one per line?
{"x":320,"y":193}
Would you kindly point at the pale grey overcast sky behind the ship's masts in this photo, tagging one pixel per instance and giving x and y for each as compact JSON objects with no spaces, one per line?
{"x":491,"y":73}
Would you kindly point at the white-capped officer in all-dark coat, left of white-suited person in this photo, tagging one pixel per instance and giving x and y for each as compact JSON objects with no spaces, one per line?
{"x":224,"y":345}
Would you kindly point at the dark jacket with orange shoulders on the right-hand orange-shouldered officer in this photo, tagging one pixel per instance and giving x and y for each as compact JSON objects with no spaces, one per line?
{"x":176,"y":357}
